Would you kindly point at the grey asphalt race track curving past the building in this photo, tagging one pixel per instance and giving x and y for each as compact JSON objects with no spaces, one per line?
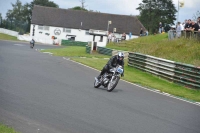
{"x":40,"y":93}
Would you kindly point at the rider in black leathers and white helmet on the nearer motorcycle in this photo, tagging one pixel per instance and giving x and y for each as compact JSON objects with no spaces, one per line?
{"x":113,"y":62}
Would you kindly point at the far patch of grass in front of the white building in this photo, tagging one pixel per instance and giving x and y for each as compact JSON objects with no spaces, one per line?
{"x":74,"y":51}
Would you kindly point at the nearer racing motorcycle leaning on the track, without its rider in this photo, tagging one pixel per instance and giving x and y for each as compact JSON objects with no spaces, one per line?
{"x":109,"y":79}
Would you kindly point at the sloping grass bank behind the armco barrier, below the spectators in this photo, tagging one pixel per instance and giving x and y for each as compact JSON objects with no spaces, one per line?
{"x":179,"y":50}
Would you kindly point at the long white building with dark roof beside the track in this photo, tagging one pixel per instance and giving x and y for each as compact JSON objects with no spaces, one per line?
{"x":84,"y":26}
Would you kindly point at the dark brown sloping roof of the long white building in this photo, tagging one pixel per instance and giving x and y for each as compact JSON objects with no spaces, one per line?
{"x":69,"y":18}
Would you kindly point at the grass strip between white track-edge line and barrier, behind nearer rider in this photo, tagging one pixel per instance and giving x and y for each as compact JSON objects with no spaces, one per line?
{"x":147,"y":80}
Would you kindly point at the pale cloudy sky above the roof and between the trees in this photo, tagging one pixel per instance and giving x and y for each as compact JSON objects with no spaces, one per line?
{"x":123,"y":7}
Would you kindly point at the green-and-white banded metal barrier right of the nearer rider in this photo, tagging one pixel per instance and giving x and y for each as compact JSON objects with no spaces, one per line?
{"x":184,"y":74}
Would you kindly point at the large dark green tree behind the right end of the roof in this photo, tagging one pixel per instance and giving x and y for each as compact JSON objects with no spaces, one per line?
{"x":154,"y":11}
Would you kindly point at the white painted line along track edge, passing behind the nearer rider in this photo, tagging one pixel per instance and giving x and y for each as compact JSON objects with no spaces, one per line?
{"x":156,"y":91}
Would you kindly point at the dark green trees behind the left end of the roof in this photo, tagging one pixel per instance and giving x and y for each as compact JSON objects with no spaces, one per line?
{"x":19,"y":17}
